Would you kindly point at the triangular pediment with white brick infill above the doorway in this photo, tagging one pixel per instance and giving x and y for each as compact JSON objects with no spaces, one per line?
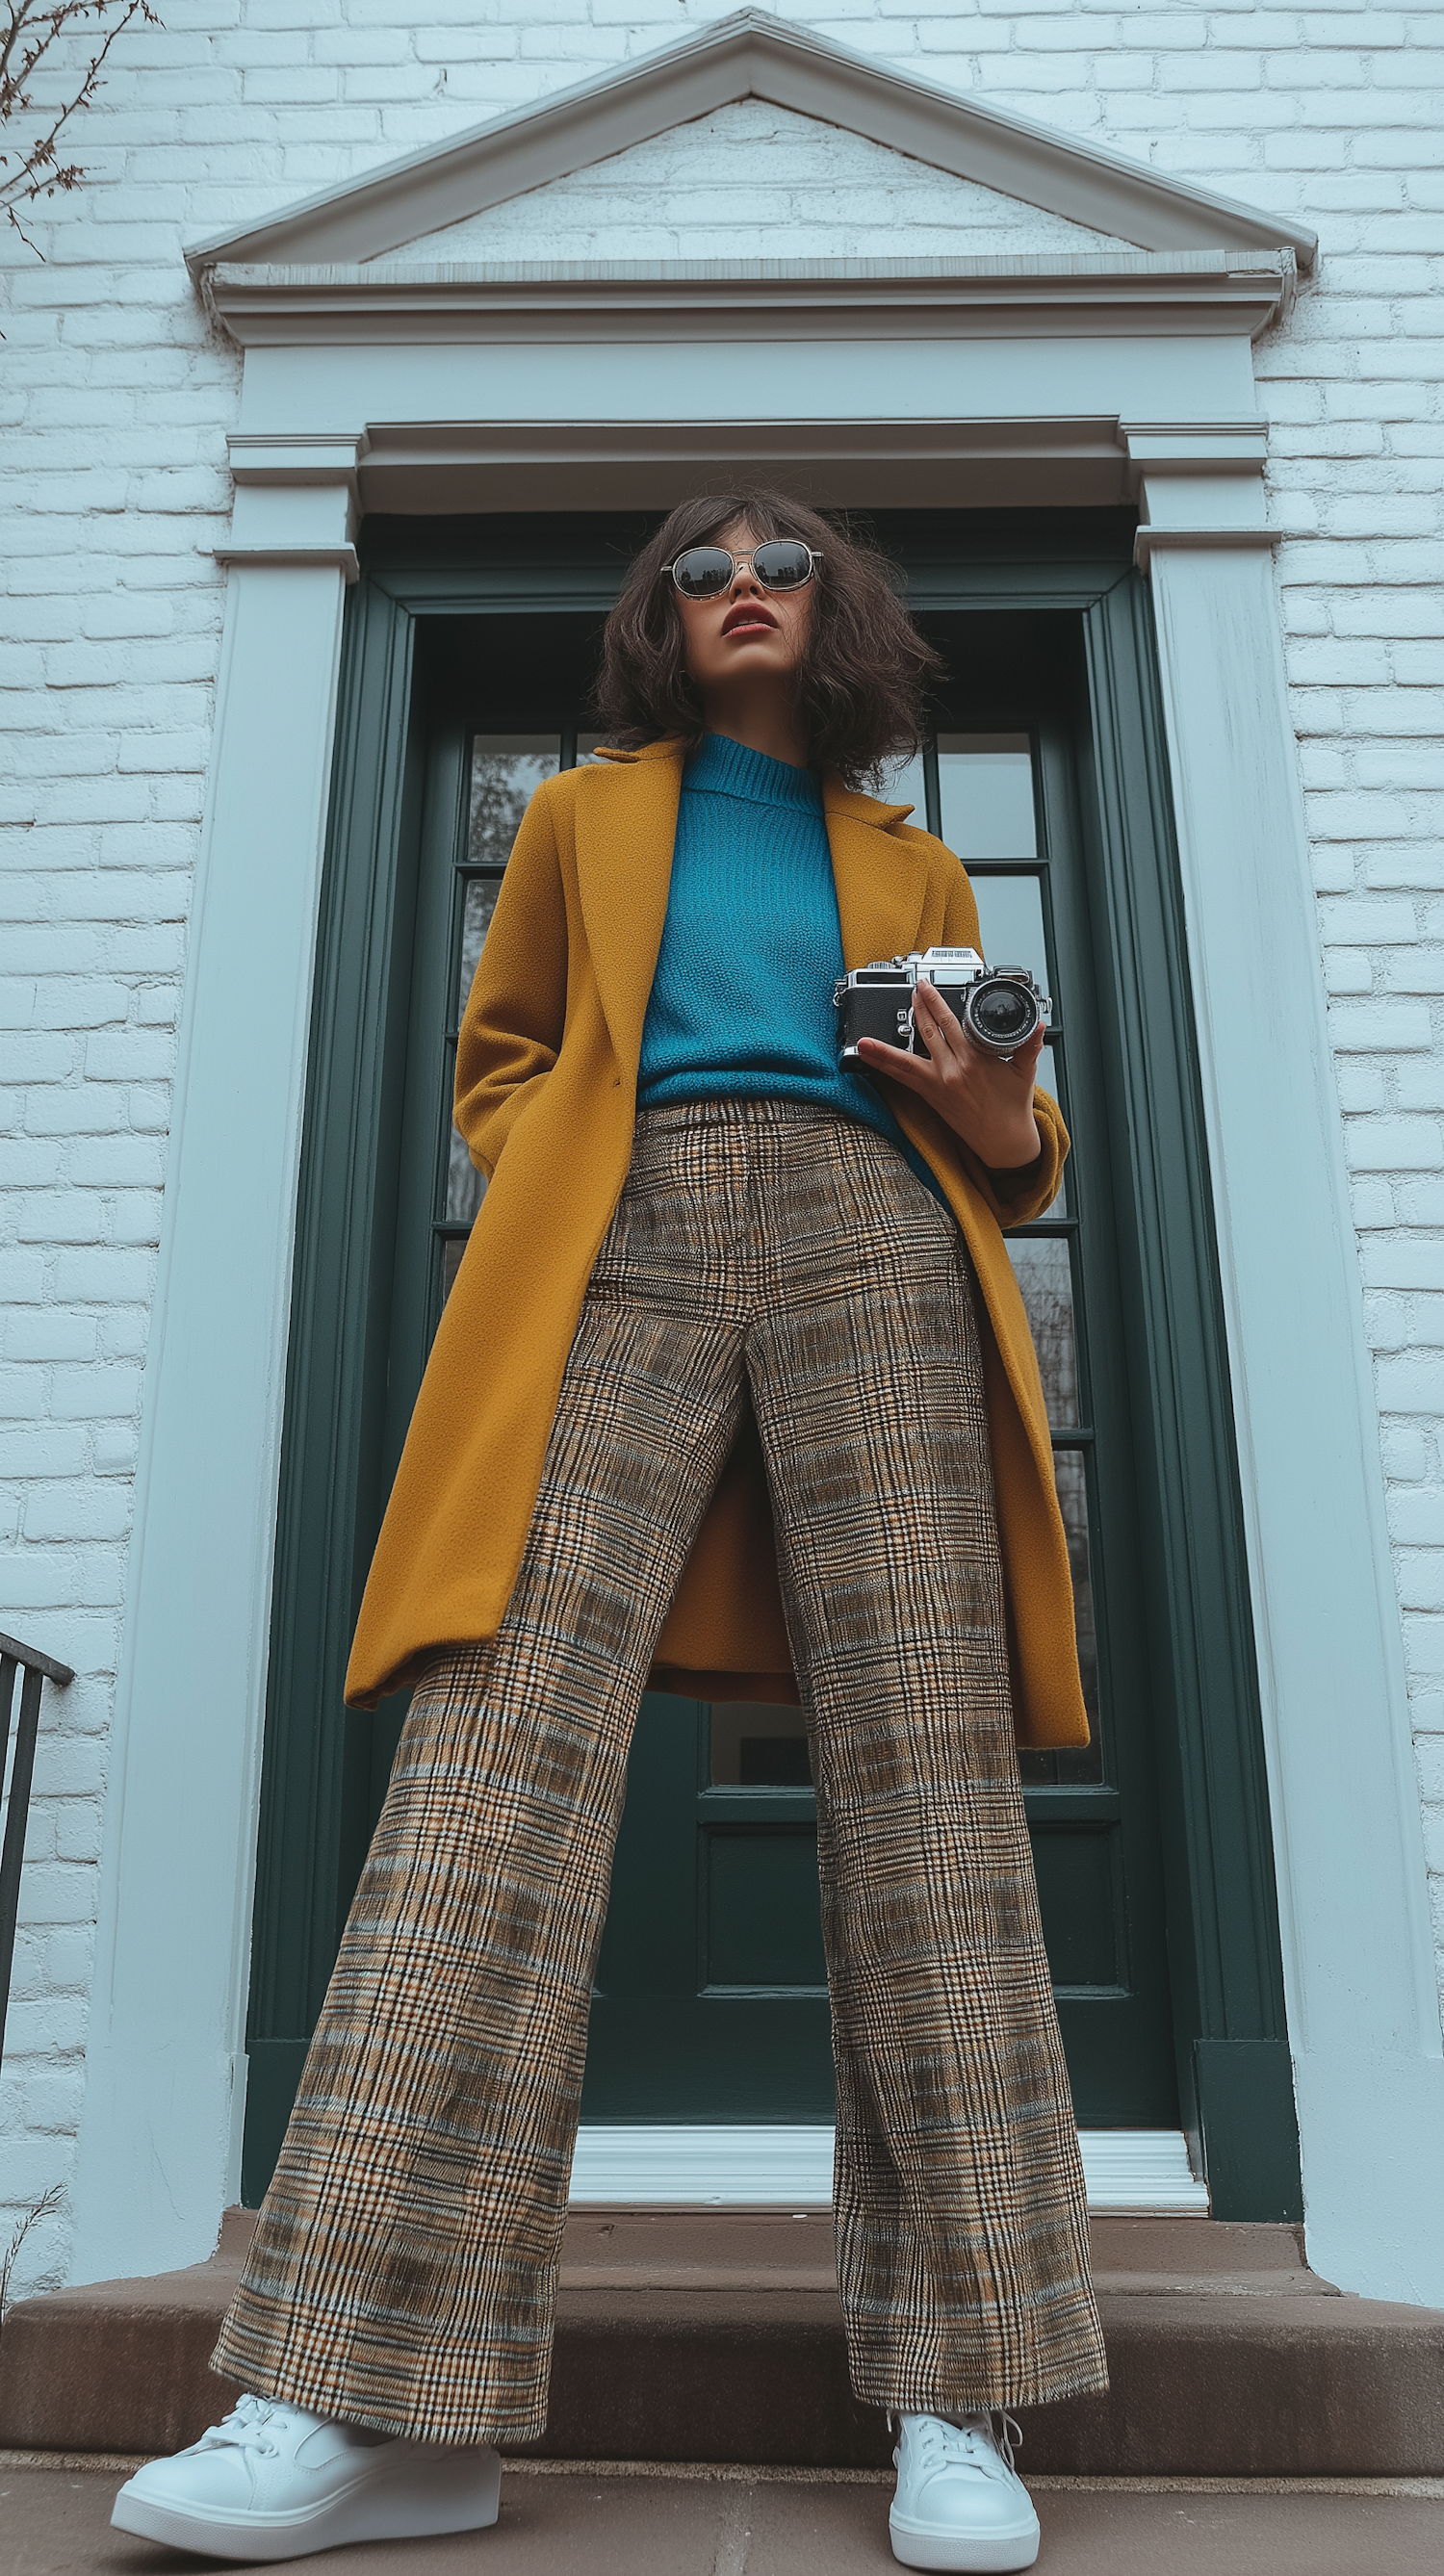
{"x":974,"y":174}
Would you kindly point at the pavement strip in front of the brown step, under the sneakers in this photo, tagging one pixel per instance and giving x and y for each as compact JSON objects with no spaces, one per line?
{"x":627,"y":2521}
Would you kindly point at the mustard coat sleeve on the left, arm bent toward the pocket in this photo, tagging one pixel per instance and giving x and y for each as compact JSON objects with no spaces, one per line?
{"x":511,"y":1032}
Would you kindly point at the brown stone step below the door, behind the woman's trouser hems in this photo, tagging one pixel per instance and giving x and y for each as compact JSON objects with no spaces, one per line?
{"x":717,"y":2335}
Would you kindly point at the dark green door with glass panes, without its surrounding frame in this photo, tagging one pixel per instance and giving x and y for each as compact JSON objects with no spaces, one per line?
{"x":712,"y":2000}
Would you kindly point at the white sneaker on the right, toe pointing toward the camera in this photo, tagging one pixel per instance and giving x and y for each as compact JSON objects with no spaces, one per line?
{"x":961,"y":2503}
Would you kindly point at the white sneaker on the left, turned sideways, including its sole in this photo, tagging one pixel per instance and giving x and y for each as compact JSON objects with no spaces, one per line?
{"x":277,"y":2482}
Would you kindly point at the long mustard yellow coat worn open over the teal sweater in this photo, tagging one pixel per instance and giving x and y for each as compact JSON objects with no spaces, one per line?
{"x":547,"y":1099}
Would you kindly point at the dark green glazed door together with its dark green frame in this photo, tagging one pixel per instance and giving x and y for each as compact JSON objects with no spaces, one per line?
{"x":470,"y":656}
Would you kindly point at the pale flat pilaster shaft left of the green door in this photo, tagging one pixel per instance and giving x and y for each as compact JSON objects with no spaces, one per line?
{"x":166,"y":2047}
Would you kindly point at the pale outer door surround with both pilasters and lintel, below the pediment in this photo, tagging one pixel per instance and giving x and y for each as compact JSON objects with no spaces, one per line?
{"x":1093,"y":380}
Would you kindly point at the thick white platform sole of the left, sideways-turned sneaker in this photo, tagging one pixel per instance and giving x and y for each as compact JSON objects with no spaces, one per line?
{"x":408,"y":2500}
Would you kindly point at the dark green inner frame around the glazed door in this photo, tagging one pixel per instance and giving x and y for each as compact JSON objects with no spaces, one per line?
{"x":1221,"y":1905}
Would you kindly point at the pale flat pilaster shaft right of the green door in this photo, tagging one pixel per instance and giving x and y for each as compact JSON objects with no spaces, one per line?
{"x":1363,"y":2003}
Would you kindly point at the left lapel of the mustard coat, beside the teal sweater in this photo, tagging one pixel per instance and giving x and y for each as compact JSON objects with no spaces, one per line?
{"x":627,"y":823}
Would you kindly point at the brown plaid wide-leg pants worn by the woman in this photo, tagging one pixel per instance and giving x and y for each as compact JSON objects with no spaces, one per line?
{"x":405,"y":2263}
